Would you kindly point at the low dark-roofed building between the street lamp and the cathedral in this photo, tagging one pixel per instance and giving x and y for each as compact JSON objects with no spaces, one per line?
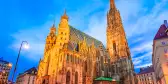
{"x":28,"y":77}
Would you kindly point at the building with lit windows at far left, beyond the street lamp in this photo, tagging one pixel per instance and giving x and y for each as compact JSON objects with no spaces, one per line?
{"x":4,"y":71}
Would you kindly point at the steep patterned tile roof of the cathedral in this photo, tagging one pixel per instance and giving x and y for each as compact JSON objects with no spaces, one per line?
{"x":78,"y":36}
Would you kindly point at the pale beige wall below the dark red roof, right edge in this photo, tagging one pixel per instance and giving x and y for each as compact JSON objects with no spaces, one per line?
{"x":160,"y":60}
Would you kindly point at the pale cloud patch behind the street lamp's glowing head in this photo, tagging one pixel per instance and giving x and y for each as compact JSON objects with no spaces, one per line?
{"x":35,"y":36}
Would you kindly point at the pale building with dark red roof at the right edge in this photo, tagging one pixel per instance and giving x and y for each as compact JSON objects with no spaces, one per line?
{"x":160,"y":54}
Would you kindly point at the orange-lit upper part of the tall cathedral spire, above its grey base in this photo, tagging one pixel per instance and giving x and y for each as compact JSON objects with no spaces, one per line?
{"x":116,"y":39}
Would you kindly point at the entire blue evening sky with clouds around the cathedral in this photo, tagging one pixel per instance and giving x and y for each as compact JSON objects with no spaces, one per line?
{"x":31,"y":20}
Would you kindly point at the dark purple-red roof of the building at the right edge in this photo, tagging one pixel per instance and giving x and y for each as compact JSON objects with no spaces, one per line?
{"x":161,"y":32}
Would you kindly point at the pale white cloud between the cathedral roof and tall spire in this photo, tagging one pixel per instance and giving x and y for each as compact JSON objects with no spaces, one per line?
{"x":97,"y":27}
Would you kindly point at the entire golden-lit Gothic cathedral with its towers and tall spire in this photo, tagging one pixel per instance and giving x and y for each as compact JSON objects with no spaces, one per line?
{"x":73,"y":57}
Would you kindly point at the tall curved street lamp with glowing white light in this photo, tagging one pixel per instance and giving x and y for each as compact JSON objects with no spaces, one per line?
{"x":26,"y":47}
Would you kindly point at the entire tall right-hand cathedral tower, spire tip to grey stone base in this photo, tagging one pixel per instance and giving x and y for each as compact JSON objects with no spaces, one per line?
{"x":117,"y":46}
